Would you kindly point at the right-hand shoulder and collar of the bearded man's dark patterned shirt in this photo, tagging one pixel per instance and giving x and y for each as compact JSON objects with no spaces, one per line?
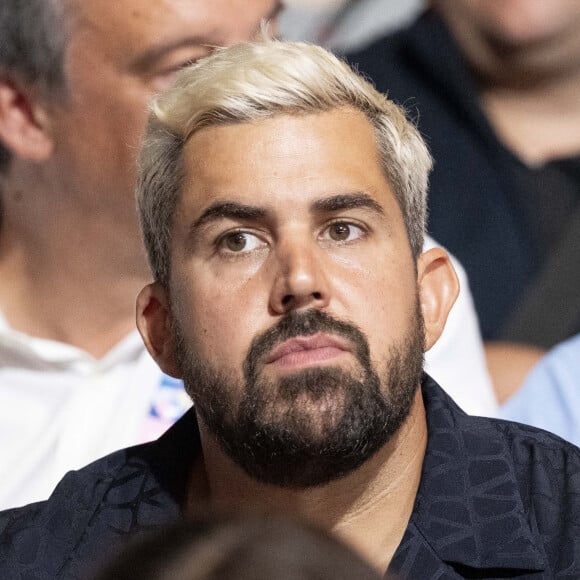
{"x":497,"y":494}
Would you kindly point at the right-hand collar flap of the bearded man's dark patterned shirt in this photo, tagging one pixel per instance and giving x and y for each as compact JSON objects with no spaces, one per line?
{"x":468,"y":508}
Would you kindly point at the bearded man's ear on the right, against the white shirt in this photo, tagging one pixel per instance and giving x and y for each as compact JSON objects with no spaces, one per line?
{"x":438,"y":290}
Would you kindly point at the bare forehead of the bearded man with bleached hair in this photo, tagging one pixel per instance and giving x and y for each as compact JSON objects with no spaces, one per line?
{"x":284,"y":162}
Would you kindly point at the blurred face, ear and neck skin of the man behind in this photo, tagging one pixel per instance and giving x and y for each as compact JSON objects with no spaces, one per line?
{"x":70,"y":245}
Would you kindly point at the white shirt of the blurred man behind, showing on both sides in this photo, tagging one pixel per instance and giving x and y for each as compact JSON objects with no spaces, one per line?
{"x":61,"y":409}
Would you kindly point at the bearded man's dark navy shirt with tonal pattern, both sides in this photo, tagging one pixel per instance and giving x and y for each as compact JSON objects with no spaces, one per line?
{"x":496,"y":500}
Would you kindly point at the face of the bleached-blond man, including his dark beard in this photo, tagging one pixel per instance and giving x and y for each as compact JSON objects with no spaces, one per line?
{"x":294,"y":295}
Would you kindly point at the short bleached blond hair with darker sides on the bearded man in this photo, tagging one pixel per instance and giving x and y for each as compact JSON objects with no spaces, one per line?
{"x":258,"y":80}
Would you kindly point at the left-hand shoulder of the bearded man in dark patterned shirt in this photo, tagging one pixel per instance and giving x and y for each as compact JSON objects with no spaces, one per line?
{"x":91,"y":513}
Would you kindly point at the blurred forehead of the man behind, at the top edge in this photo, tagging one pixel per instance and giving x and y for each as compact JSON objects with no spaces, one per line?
{"x":130,"y":23}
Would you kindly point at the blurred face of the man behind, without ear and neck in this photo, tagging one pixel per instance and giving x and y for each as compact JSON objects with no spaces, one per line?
{"x":119,"y":54}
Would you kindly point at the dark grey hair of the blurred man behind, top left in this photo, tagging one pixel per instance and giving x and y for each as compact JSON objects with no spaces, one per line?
{"x":32,"y":48}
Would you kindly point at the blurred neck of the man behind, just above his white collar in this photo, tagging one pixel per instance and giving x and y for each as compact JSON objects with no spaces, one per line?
{"x":62,"y":279}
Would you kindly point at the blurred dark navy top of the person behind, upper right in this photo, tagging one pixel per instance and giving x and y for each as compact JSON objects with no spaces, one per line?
{"x":501,"y":218}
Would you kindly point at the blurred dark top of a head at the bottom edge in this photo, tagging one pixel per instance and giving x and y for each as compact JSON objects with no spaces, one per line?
{"x":239,"y":548}
